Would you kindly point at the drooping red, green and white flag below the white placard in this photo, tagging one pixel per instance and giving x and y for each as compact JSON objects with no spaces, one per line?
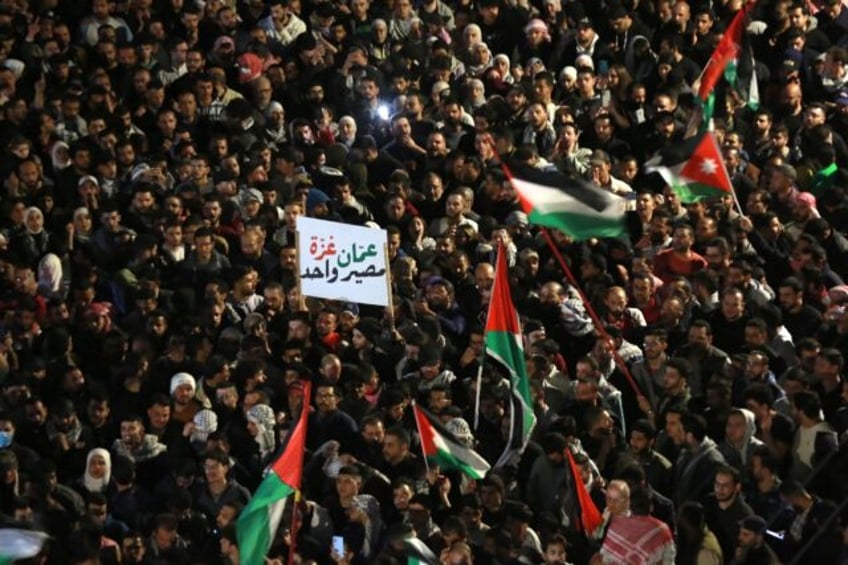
{"x":258,"y":523}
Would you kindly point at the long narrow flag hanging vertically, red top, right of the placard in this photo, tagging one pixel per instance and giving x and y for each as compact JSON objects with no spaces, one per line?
{"x":504,"y":347}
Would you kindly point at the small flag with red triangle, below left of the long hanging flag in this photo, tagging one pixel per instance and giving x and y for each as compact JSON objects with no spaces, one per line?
{"x":443,"y":449}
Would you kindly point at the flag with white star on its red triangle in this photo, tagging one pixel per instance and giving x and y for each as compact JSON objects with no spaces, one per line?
{"x":694,"y":169}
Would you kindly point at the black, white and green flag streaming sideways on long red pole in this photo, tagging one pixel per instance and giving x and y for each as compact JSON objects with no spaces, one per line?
{"x":572,"y":206}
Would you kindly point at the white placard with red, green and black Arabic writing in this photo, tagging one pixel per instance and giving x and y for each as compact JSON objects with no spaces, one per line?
{"x":342,"y":262}
